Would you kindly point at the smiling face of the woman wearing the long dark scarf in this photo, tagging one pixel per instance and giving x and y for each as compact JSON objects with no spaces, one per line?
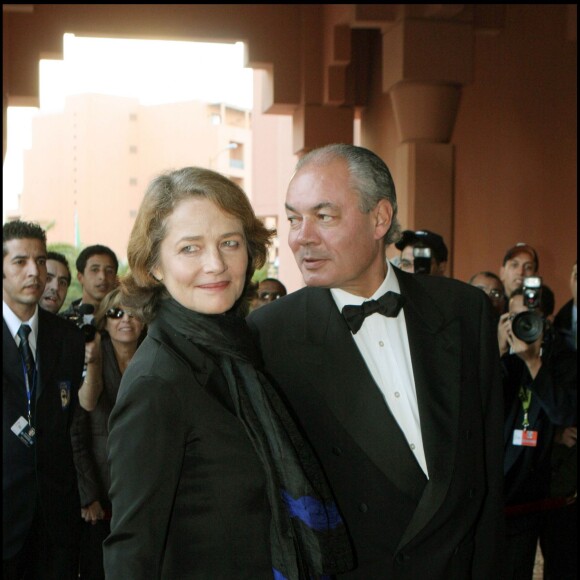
{"x":203,"y":258}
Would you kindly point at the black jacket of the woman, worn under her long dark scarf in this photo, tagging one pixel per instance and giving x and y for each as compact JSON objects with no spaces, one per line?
{"x":188,"y":490}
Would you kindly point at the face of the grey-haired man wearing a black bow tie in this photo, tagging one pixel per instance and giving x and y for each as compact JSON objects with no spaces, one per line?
{"x":335,"y":245}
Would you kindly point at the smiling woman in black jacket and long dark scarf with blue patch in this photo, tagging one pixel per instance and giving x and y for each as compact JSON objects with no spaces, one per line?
{"x":210,"y":477}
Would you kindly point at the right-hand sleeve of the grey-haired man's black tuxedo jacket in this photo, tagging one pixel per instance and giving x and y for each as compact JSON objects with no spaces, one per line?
{"x":489,"y":538}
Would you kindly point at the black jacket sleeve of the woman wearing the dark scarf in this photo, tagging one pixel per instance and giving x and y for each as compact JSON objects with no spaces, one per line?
{"x":145,"y":452}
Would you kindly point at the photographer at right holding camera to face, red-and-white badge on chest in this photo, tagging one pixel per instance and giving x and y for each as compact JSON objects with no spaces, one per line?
{"x":539,"y":381}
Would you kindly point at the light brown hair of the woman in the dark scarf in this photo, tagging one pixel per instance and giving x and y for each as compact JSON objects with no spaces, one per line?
{"x":141,"y":290}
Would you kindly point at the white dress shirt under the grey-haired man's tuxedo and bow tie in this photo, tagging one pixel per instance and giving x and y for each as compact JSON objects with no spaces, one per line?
{"x":384,"y":346}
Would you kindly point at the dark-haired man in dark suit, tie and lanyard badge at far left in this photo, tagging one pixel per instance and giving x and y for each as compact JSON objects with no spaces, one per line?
{"x":42,"y":357}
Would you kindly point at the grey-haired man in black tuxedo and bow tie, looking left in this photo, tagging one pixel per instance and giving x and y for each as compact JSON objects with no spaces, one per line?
{"x":393,"y":376}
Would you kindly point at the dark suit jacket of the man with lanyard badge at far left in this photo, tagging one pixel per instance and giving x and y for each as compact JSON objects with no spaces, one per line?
{"x":45,"y":472}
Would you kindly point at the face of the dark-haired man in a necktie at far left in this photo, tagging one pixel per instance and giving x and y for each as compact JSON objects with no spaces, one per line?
{"x":24,"y":269}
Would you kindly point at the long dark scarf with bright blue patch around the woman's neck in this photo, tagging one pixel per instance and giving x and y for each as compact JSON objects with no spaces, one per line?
{"x":308,"y":537}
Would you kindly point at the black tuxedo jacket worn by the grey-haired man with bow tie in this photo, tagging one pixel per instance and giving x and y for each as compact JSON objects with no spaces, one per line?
{"x":402,"y":525}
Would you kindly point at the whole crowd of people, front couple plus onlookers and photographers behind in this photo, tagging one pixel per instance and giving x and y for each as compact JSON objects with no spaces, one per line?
{"x":385,"y":421}
